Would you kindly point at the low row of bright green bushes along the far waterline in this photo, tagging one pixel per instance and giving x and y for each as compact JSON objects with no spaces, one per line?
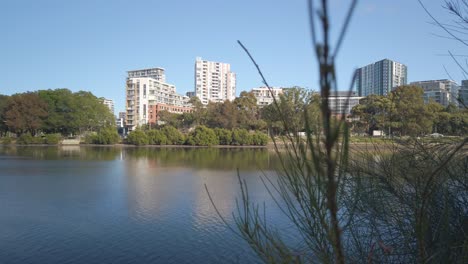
{"x":199,"y":136}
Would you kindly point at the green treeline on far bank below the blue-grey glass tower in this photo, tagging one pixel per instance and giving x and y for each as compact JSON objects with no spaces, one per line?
{"x":404,"y":113}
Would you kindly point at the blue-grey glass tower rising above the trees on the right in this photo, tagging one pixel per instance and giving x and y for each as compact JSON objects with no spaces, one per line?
{"x":380,"y":77}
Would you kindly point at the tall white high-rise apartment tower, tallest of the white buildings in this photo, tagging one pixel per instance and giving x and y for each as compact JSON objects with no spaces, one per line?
{"x":214,"y":81}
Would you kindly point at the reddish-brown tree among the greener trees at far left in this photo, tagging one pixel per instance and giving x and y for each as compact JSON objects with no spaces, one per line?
{"x":25,"y":113}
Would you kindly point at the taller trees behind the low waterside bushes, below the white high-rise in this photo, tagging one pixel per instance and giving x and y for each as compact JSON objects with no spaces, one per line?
{"x":244,"y":113}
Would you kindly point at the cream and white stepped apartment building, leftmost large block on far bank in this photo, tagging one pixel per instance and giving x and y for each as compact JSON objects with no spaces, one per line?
{"x":147,"y":92}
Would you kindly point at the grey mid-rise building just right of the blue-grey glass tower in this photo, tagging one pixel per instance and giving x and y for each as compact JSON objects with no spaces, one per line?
{"x":443,"y":91}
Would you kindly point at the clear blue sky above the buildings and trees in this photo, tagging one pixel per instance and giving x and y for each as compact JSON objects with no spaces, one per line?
{"x":90,"y":44}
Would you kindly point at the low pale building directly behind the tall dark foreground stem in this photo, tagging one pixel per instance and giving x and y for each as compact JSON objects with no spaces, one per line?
{"x":341,"y":102}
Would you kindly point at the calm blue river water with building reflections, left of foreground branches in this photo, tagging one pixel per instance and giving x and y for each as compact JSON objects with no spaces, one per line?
{"x":126,"y":205}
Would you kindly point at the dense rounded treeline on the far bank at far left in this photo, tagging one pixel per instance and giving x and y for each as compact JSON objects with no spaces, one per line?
{"x":53,"y":112}
